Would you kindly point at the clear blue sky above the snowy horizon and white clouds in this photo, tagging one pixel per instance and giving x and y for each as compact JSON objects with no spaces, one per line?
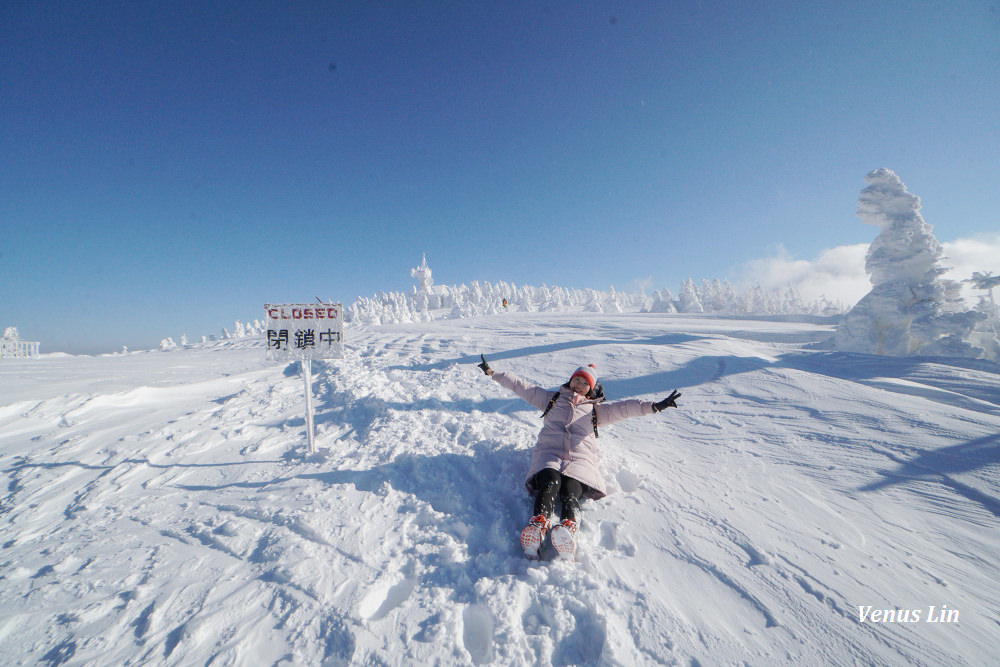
{"x":167,"y":168}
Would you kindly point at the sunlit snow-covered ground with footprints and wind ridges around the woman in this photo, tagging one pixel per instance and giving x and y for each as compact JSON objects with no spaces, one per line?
{"x":162,"y":507}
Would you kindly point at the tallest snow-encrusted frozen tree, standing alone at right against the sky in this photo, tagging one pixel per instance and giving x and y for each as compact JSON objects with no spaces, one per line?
{"x":910,"y":310}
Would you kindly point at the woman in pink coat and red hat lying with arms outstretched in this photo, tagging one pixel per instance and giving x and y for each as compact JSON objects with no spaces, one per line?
{"x":564,"y":463}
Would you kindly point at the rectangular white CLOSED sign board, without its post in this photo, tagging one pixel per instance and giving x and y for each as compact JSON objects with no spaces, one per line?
{"x":304,"y":331}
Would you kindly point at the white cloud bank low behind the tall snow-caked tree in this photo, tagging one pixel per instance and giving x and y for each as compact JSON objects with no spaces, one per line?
{"x":839,"y":273}
